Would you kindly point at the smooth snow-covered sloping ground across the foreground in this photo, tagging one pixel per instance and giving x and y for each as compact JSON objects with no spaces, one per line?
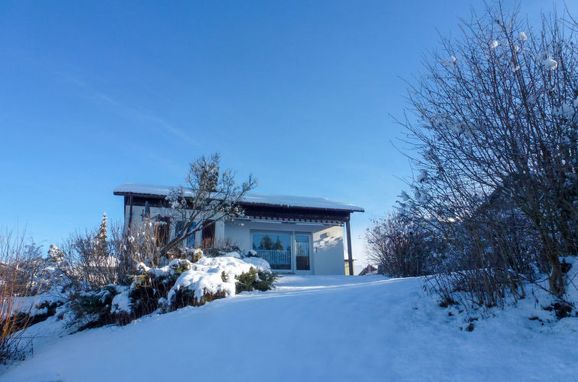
{"x":312,"y":328}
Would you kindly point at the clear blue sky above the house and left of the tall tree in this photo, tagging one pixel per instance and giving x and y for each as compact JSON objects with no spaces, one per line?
{"x":298,"y":93}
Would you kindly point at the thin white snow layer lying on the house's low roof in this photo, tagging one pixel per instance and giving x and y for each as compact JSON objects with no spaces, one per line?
{"x":254,"y":199}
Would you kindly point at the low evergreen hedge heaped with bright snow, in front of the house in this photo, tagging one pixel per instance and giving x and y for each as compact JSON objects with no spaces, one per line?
{"x":178,"y":284}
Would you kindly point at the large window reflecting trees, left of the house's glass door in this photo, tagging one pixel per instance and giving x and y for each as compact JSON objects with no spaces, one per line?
{"x":275,"y":247}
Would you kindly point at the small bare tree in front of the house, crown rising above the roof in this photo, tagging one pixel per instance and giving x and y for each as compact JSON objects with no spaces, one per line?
{"x":210,"y":194}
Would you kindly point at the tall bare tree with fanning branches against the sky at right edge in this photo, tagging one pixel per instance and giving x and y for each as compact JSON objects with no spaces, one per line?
{"x":498,"y":110}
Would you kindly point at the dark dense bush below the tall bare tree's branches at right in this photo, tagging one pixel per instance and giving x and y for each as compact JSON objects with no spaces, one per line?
{"x":489,"y":256}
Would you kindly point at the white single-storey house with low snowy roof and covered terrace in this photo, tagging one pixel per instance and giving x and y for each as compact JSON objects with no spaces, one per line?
{"x":294,"y":234}
